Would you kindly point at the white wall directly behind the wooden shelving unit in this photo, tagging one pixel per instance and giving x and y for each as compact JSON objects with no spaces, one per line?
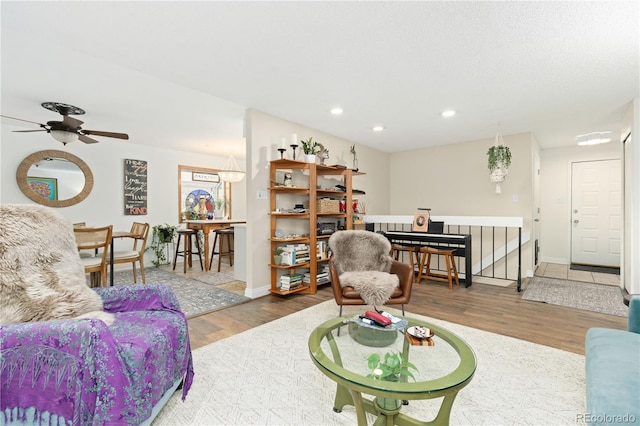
{"x":264,"y":133}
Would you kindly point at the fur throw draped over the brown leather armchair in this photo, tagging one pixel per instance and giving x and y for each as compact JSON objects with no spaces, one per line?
{"x":362,"y":261}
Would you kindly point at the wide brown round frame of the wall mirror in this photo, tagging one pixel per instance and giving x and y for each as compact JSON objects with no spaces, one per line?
{"x":22,"y":175}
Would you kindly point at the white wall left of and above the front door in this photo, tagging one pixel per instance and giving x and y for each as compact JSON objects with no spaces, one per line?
{"x":555,"y":205}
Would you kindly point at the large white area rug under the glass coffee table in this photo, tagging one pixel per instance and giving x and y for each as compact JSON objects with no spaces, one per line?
{"x":265,"y":376}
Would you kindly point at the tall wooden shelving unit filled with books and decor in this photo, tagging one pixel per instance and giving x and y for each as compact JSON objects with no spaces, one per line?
{"x":307,"y":179}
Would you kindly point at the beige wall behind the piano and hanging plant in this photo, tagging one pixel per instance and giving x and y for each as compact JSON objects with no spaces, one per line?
{"x":453,"y":180}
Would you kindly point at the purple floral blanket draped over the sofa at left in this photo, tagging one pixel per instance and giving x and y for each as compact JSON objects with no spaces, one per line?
{"x":82,"y":372}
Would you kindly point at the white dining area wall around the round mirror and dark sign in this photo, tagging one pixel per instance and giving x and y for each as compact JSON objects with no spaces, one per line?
{"x":106,"y":159}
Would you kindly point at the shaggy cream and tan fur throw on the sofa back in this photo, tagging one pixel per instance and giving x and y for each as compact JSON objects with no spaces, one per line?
{"x":41,"y":275}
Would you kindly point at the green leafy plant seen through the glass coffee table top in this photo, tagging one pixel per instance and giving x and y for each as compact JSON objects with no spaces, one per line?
{"x":394,"y":367}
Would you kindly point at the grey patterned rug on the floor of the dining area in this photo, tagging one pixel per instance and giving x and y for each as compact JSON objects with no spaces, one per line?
{"x":195,"y":297}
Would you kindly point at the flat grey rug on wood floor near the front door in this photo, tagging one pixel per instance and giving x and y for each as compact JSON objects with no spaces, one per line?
{"x":574,"y":294}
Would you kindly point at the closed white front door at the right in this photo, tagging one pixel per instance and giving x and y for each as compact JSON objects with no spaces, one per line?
{"x":596,"y":208}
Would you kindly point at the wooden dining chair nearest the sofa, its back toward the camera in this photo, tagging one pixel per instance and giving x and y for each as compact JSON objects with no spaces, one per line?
{"x":96,"y":239}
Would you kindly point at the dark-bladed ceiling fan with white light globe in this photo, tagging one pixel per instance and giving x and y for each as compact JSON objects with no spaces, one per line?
{"x":68,"y":130}
